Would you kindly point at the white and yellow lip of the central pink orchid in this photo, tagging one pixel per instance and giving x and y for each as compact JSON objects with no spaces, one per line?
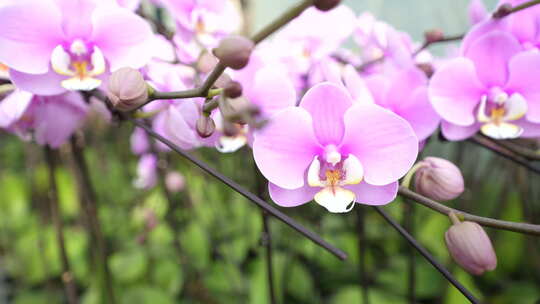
{"x":331,"y":176}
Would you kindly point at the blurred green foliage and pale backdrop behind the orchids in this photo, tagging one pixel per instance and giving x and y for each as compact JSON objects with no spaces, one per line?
{"x":206,"y":247}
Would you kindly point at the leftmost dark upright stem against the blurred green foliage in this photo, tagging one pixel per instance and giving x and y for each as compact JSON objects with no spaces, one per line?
{"x":67,"y":275}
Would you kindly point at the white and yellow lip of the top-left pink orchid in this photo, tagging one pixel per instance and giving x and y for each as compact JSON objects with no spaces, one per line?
{"x":79,"y":65}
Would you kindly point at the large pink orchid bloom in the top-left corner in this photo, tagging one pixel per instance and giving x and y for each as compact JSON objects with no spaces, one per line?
{"x":54,"y":45}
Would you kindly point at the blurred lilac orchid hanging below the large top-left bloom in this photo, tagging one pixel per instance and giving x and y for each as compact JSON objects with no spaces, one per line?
{"x":50,"y":119}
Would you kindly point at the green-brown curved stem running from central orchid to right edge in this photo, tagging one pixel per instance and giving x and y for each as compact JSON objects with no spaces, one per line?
{"x":484,"y":221}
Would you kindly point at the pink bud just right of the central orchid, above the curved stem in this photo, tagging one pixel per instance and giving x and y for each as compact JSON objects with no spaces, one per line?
{"x":439,"y":179}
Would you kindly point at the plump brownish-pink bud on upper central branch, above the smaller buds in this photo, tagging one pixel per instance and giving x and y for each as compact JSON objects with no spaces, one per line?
{"x":234,"y":51}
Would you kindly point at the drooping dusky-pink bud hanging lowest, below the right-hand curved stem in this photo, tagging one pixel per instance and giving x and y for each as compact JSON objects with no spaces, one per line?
{"x":471,"y":247}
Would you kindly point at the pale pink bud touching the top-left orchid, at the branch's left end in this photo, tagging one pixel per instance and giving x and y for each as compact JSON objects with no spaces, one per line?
{"x":127,"y":89}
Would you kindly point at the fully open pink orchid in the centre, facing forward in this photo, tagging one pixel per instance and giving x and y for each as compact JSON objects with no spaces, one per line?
{"x":335,"y":152}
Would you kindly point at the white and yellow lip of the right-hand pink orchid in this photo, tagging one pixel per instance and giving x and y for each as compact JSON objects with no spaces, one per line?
{"x":505,"y":109}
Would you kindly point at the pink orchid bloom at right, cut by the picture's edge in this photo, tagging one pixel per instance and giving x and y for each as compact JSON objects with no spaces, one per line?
{"x":487,"y":90}
